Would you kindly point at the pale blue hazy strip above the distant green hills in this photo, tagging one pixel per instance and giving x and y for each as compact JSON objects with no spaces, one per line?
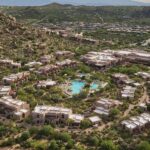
{"x":76,"y":2}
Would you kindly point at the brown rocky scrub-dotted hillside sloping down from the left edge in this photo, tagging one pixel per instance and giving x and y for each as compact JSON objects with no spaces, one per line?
{"x":26,"y":43}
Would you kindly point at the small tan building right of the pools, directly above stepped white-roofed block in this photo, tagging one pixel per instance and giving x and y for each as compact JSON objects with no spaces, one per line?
{"x":122,"y":79}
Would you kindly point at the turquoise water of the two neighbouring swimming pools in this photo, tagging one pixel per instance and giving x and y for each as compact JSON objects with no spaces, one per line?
{"x":77,"y":86}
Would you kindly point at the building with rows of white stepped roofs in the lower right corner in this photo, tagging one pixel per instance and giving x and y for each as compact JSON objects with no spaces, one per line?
{"x":136,"y":124}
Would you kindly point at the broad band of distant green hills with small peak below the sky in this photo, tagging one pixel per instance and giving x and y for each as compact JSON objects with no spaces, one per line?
{"x":57,"y":13}
